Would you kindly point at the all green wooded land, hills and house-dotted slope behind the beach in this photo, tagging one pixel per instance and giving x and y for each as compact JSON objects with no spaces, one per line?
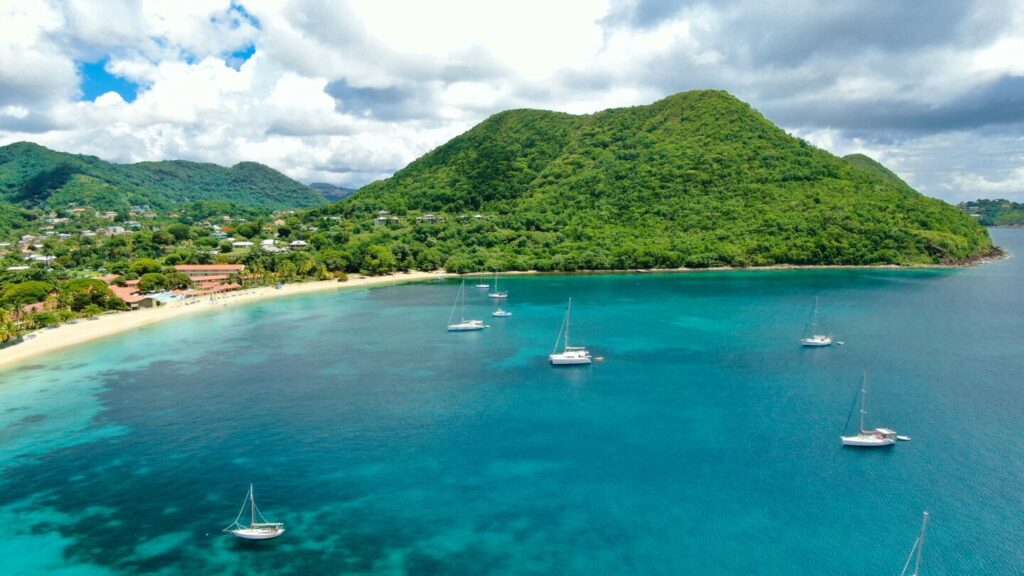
{"x":698,"y":180}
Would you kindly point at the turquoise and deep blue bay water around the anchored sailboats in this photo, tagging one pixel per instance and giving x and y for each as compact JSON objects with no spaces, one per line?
{"x":706,"y":443}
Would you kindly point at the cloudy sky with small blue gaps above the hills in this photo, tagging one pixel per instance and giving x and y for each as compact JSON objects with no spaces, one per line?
{"x":348,"y":93}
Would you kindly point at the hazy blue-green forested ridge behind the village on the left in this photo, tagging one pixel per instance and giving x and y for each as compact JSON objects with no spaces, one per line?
{"x":32,"y":176}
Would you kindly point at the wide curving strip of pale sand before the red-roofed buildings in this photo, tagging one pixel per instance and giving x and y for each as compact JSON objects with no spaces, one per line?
{"x":48,"y":341}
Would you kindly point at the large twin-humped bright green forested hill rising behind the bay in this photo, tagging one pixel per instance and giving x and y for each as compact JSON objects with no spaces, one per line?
{"x":697,"y":180}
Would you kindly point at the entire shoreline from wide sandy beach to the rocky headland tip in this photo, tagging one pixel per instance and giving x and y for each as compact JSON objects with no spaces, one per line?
{"x":69,"y":336}
